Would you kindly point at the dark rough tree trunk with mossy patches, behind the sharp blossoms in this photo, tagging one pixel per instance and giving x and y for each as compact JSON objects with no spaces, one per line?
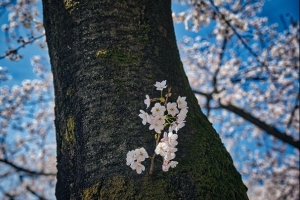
{"x":105,"y":56}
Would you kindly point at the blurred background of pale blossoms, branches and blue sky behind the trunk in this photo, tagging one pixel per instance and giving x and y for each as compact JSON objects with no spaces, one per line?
{"x":240,"y":56}
